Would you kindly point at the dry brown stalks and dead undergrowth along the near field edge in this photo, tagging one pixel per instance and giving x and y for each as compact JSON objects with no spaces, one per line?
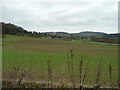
{"x":18,"y":78}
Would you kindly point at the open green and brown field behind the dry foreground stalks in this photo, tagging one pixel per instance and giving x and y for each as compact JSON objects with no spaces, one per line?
{"x":34,"y":53}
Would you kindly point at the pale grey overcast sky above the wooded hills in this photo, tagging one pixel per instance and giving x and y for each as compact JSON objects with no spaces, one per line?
{"x":69,"y":17}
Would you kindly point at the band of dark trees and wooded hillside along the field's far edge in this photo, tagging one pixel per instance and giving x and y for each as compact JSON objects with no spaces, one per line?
{"x":11,"y":29}
